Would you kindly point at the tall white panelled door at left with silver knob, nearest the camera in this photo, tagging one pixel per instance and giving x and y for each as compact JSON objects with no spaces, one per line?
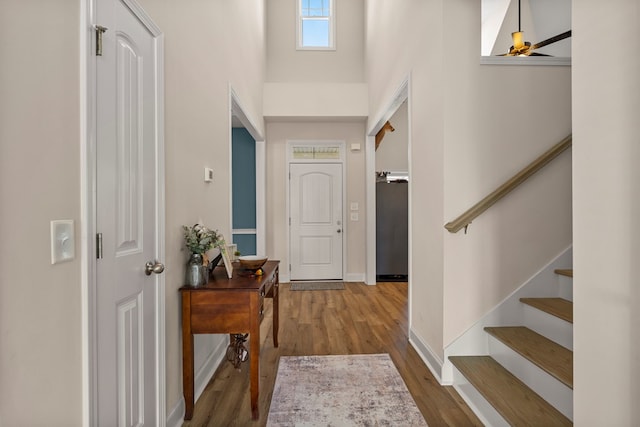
{"x":127,"y":212}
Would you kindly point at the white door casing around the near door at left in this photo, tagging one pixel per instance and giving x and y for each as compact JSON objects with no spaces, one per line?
{"x":88,"y":201}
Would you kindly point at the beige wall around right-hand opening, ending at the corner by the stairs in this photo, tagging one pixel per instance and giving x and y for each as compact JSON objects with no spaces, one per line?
{"x":396,"y":49}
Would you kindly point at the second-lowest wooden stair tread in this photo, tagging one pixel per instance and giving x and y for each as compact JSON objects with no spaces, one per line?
{"x":541,"y":351}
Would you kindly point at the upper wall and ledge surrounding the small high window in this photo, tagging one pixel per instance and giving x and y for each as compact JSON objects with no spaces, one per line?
{"x":304,"y":84}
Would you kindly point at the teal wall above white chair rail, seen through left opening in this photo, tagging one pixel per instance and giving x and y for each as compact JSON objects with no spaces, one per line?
{"x":243,"y":160}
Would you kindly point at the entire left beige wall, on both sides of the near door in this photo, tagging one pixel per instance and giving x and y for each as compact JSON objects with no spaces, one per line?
{"x":40,"y":304}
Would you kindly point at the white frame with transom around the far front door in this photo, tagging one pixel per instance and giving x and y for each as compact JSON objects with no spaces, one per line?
{"x":286,"y":277}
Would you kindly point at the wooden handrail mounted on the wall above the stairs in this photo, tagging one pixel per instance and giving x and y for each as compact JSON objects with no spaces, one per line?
{"x":465,"y":219}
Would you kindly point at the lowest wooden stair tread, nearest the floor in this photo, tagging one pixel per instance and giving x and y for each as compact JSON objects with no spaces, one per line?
{"x":517,"y":403}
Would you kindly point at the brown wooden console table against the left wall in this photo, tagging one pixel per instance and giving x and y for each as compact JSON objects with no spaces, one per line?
{"x":228,"y":306}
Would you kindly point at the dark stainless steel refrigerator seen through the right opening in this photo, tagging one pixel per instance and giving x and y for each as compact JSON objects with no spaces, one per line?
{"x":392,"y":227}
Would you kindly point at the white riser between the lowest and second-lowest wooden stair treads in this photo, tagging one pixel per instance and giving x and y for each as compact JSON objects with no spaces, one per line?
{"x":548,"y":387}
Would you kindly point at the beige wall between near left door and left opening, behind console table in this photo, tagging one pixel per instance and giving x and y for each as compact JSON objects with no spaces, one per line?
{"x":208,"y":46}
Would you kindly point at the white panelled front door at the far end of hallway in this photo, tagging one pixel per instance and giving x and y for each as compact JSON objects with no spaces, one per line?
{"x":316,"y":221}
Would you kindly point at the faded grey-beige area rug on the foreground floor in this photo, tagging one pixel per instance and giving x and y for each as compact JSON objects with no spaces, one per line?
{"x":353,"y":390}
